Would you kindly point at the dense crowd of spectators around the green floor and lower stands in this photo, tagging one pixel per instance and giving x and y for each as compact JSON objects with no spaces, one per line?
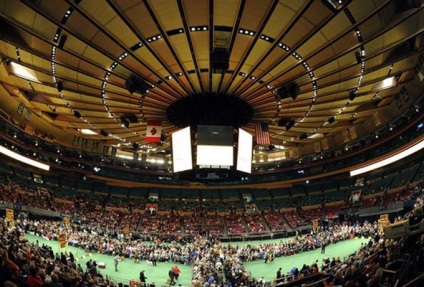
{"x":213,"y":261}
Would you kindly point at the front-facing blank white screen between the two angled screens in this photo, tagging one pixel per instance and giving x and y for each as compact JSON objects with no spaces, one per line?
{"x":214,"y":155}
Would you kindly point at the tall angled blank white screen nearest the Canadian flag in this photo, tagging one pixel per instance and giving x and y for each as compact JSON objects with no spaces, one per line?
{"x":181,"y":150}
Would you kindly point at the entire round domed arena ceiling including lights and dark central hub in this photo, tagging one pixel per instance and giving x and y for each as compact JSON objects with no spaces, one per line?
{"x":311,"y":70}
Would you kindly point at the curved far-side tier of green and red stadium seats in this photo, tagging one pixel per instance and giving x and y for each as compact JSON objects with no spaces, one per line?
{"x":221,"y":212}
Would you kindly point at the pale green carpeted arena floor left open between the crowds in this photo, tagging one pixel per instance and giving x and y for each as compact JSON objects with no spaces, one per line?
{"x":128,"y":270}
